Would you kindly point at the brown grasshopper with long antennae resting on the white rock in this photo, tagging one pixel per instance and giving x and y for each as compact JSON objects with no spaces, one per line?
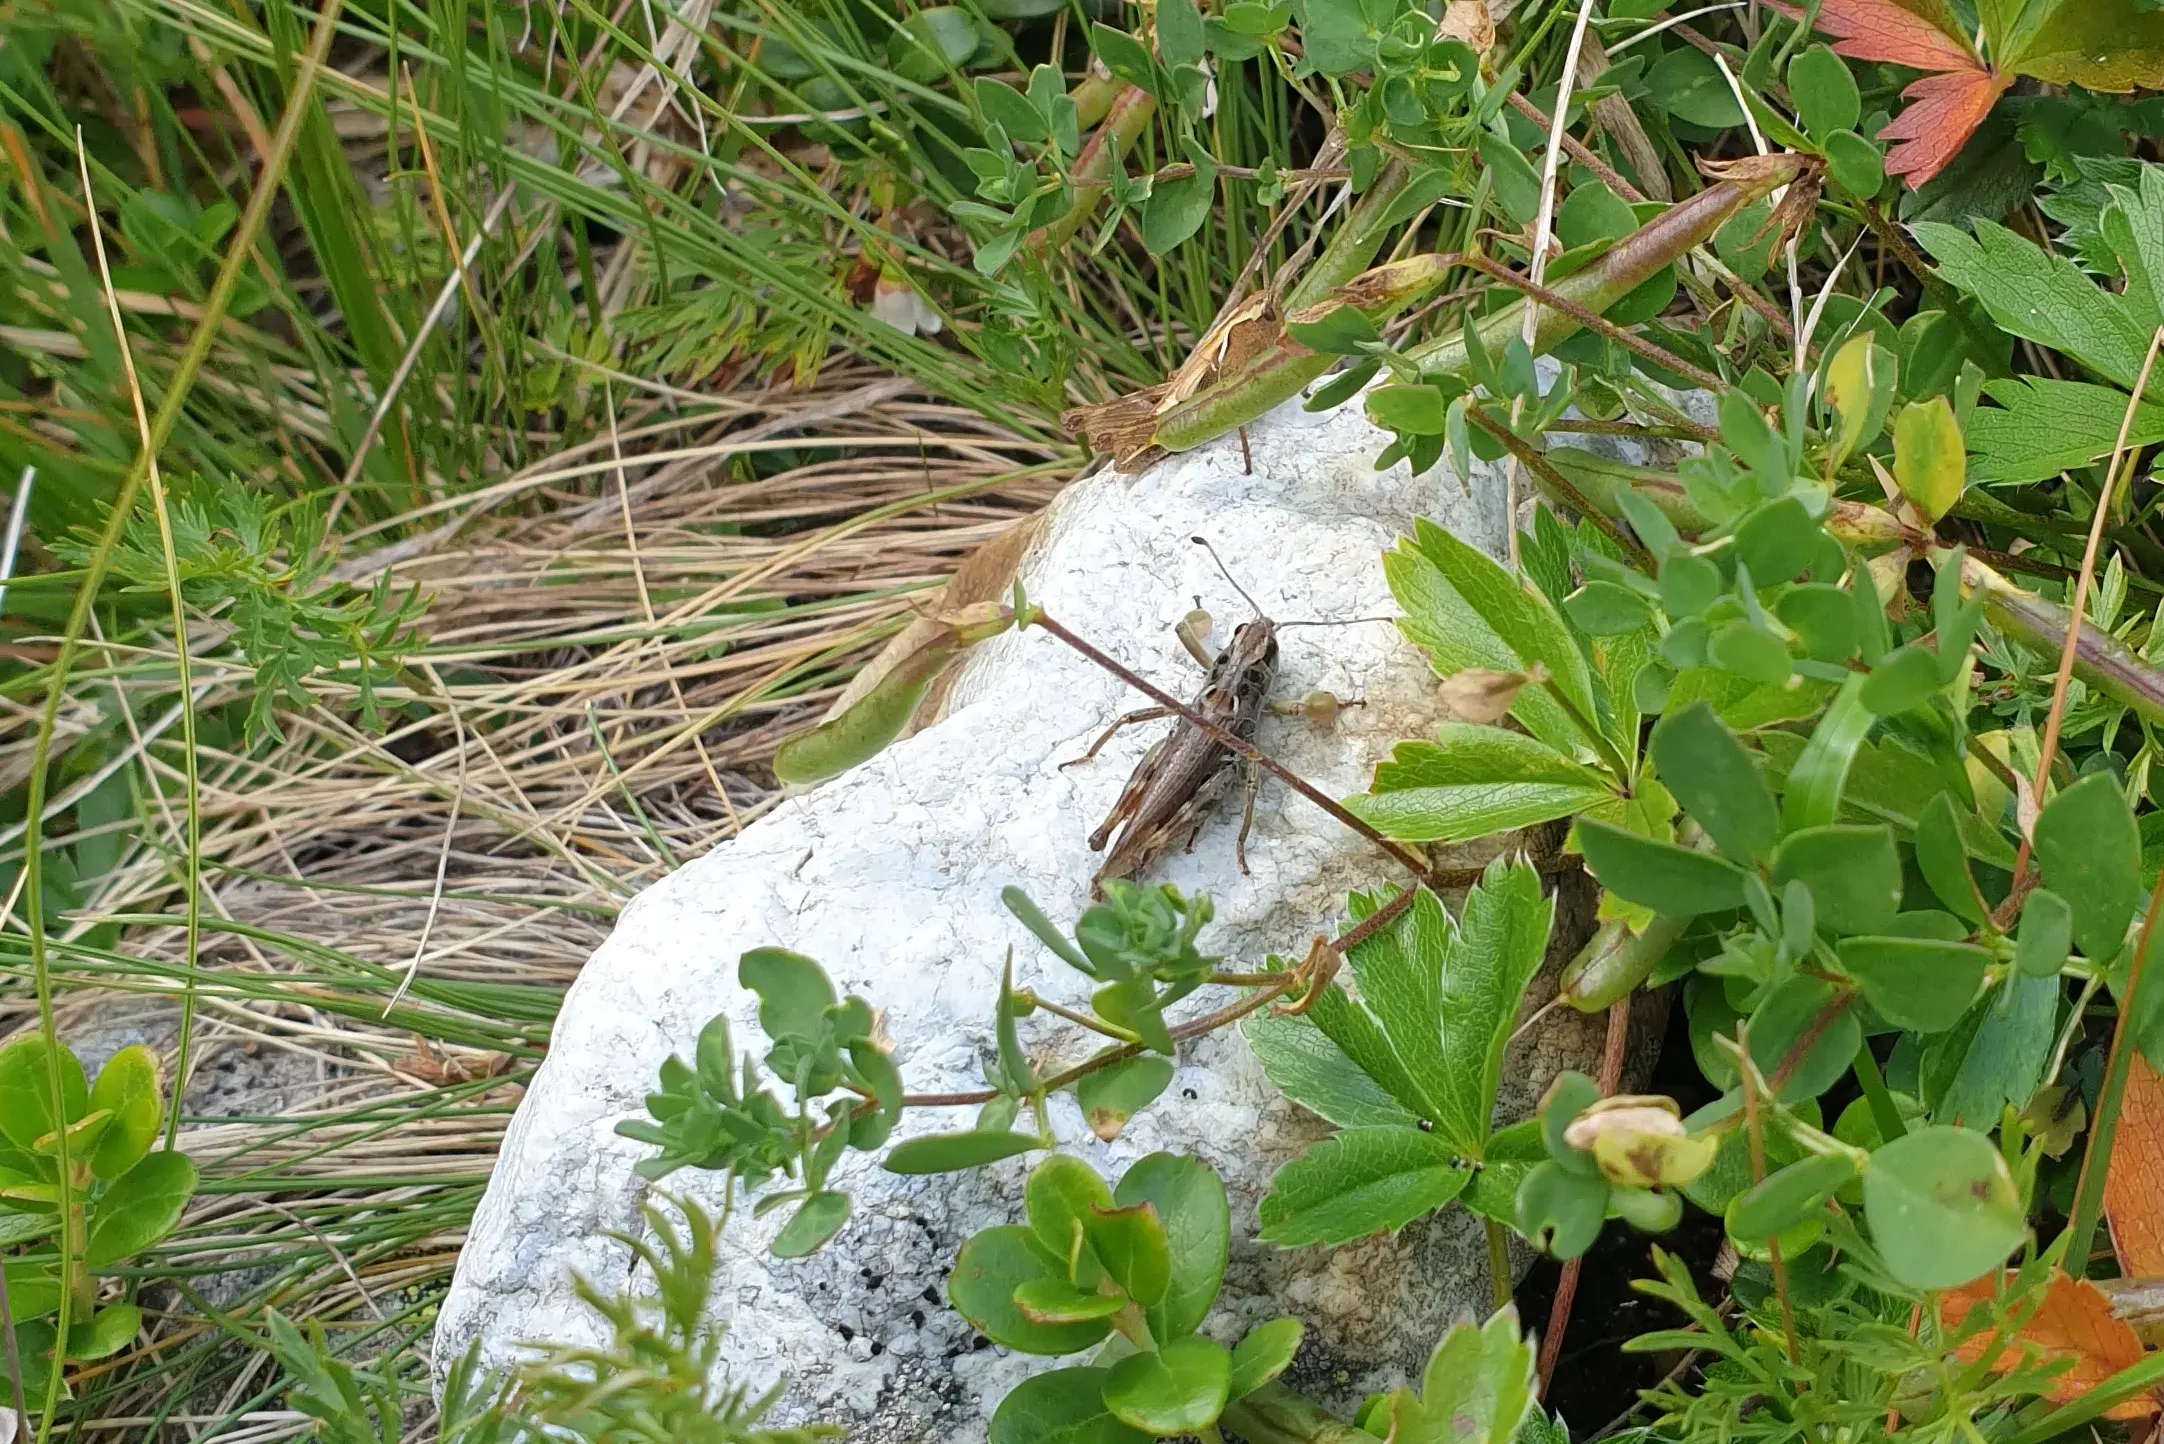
{"x":1178,"y":780}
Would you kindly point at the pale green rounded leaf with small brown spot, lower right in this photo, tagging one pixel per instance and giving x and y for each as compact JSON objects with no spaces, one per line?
{"x":1942,"y":1207}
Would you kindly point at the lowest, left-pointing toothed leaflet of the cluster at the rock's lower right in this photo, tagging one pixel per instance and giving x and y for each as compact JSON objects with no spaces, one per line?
{"x":1358,"y":1183}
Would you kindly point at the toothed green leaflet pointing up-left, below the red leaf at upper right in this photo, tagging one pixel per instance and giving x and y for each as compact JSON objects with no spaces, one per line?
{"x":2040,"y":296}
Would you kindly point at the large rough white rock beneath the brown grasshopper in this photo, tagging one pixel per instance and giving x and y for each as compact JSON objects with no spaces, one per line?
{"x":890,"y":878}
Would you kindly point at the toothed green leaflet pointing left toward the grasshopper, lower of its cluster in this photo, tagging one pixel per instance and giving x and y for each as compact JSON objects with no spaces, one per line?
{"x":1473,"y":783}
